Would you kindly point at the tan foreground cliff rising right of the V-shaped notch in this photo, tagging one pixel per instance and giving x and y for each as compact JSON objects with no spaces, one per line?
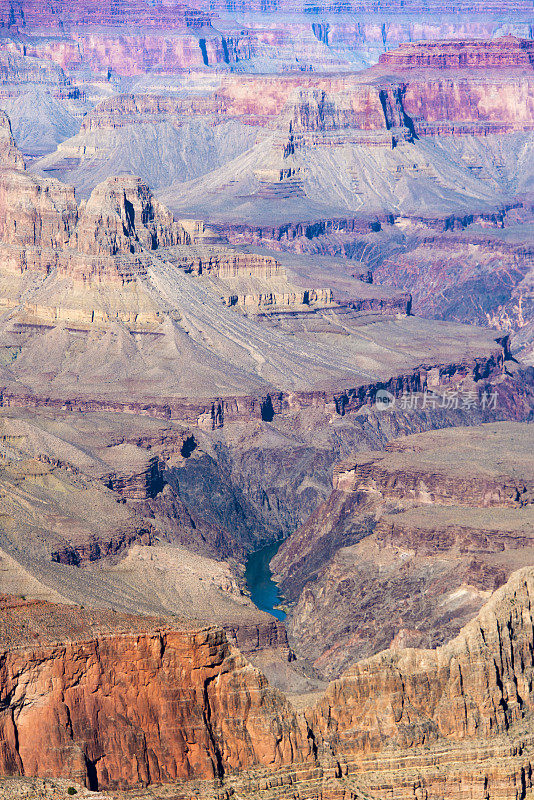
{"x":474,"y":688}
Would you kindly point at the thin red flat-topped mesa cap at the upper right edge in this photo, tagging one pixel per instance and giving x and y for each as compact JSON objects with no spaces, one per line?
{"x":506,"y":52}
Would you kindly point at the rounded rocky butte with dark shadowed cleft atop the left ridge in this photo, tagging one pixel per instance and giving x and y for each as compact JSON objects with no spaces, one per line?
{"x":122,"y":216}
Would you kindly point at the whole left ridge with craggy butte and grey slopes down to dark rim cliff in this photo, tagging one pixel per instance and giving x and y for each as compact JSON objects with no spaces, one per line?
{"x":117,"y":275}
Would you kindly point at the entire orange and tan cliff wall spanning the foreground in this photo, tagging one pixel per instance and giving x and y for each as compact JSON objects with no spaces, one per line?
{"x":380,"y":727}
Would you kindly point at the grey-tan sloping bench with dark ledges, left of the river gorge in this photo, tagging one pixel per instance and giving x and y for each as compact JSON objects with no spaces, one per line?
{"x":62,"y":465}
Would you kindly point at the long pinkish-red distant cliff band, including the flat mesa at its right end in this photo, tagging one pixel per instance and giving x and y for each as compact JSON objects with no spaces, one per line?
{"x":339,"y":103}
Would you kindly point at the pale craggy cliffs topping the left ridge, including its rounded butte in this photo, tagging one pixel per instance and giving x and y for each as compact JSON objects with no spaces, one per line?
{"x":43,"y":230}
